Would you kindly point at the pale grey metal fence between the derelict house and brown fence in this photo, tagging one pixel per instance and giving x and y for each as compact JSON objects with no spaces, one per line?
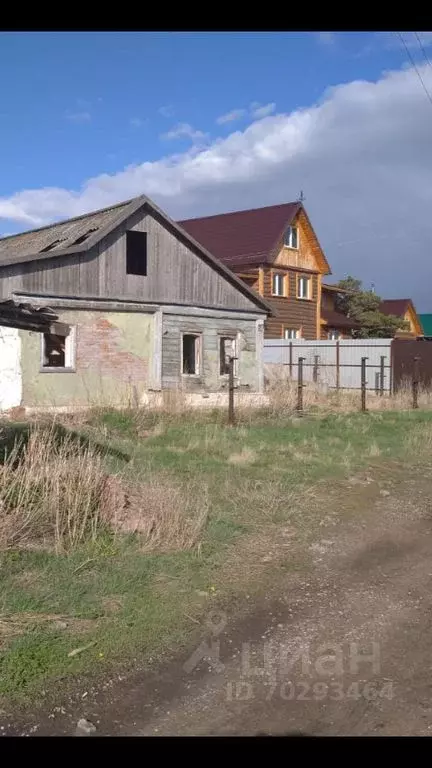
{"x":336,"y":364}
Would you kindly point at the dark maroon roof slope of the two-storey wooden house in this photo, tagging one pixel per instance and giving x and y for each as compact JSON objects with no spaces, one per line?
{"x":243,"y":237}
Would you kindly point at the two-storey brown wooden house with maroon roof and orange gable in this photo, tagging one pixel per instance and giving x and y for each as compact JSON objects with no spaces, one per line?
{"x":275,"y":251}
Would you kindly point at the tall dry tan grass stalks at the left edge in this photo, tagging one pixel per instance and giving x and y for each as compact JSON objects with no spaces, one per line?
{"x":50,"y":491}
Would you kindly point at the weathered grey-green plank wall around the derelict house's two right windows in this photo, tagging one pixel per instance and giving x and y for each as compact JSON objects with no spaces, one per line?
{"x":249,"y":363}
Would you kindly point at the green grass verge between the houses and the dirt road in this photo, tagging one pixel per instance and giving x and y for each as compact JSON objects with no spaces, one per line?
{"x":129,"y":604}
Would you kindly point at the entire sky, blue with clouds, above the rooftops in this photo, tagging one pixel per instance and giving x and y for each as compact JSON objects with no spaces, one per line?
{"x":211,"y":122}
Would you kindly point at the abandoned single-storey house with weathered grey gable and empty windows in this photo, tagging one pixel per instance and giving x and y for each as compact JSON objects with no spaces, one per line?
{"x":139,"y":305}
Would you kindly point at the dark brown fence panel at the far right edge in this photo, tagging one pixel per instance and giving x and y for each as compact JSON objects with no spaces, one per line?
{"x":404,"y":352}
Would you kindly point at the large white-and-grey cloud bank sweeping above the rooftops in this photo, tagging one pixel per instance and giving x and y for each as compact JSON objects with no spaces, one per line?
{"x":362,"y":156}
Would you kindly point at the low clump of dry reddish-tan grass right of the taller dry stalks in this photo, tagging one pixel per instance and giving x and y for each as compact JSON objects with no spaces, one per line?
{"x":166,"y":517}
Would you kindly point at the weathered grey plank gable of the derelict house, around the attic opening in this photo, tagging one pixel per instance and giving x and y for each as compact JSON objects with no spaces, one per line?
{"x":176,"y":274}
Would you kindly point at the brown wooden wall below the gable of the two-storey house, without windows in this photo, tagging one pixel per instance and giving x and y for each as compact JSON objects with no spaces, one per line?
{"x":289,"y":311}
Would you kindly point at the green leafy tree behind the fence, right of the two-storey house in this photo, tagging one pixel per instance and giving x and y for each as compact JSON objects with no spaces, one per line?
{"x":363,"y":307}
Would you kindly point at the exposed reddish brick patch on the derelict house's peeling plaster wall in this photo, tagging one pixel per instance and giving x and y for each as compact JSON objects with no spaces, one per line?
{"x":99,"y":348}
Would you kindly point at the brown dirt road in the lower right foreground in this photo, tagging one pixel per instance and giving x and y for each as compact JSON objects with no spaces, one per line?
{"x":343,"y":647}
